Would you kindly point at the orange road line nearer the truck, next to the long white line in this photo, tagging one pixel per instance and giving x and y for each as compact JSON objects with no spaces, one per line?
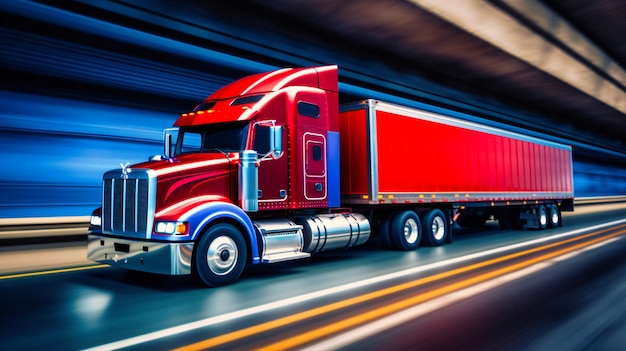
{"x":264,"y":327}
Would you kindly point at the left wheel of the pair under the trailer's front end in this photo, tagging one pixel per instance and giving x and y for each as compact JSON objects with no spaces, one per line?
{"x":405,"y":231}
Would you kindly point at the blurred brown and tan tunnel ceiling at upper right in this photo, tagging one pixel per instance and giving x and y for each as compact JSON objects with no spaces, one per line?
{"x":416,"y":35}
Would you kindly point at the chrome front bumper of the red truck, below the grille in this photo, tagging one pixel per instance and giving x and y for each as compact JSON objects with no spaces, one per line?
{"x":141,"y":255}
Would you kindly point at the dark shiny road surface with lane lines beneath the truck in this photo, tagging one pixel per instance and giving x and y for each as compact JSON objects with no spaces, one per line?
{"x":491,"y":289}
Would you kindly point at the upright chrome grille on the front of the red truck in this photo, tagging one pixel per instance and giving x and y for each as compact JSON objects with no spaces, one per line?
{"x":127,"y":207}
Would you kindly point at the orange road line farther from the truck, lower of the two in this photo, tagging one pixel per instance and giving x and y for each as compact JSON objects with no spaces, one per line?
{"x":416,"y":300}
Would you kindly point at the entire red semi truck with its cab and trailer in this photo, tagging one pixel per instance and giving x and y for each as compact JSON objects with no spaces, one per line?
{"x":270,"y":168}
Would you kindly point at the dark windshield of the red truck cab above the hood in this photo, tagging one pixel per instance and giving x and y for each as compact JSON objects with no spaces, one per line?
{"x":224,"y":137}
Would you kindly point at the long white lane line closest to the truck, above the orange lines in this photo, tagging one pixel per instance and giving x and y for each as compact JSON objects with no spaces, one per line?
{"x":167,"y":332}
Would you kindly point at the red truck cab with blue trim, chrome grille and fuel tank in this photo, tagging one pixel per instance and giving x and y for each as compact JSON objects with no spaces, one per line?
{"x":249,"y":176}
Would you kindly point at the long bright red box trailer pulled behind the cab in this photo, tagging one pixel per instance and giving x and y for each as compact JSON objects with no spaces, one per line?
{"x":398,"y":157}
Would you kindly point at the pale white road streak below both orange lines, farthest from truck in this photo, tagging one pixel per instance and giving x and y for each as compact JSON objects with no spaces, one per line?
{"x":419,"y":310}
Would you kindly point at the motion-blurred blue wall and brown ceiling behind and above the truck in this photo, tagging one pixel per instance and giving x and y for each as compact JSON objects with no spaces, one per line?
{"x":87,"y":85}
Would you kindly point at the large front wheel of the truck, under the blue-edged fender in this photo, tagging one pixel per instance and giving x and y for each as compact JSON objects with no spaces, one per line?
{"x":220,"y":256}
